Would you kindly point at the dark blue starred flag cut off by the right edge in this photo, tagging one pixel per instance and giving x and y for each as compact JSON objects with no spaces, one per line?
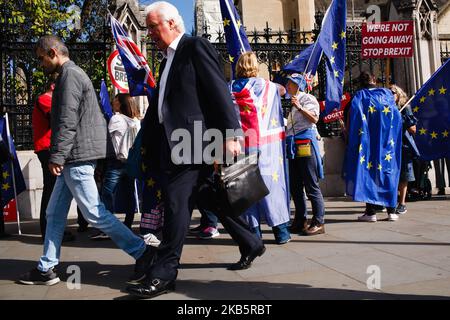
{"x":431,"y":106}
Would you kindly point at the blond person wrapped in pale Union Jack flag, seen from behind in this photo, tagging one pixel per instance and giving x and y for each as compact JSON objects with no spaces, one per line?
{"x":258,"y":104}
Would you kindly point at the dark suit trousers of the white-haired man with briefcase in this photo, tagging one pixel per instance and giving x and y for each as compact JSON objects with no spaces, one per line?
{"x":180,"y":185}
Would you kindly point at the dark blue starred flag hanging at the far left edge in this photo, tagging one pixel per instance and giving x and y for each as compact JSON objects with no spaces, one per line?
{"x":7,"y":188}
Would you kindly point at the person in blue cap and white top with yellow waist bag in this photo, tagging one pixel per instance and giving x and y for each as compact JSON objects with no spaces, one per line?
{"x":305,"y":162}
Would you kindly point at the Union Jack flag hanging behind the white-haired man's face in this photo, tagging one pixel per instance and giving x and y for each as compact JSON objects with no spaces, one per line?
{"x":140,"y":77}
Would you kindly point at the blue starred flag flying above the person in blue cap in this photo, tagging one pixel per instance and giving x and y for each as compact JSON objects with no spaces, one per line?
{"x":331,"y":43}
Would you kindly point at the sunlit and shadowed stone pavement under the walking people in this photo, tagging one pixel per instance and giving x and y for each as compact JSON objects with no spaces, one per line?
{"x":412,"y":256}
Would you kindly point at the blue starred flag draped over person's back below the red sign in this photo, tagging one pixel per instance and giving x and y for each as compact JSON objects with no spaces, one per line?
{"x":373,"y":158}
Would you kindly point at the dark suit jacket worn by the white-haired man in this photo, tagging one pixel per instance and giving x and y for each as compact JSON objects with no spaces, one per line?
{"x":196,"y":90}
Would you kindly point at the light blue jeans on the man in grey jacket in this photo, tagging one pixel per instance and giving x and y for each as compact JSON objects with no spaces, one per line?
{"x":77,"y":182}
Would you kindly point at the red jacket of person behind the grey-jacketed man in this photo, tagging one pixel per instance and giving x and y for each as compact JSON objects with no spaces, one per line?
{"x":41,"y":122}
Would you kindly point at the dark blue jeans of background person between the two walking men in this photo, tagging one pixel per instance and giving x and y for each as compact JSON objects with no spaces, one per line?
{"x":115,"y":175}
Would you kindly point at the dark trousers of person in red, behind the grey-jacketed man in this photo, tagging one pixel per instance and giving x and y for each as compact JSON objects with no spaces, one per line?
{"x":49,"y":183}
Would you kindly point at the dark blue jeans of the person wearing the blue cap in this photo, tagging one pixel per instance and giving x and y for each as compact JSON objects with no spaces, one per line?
{"x":303,"y":175}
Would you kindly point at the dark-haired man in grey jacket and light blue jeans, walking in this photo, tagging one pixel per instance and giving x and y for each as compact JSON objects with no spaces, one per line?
{"x":79,"y":138}
